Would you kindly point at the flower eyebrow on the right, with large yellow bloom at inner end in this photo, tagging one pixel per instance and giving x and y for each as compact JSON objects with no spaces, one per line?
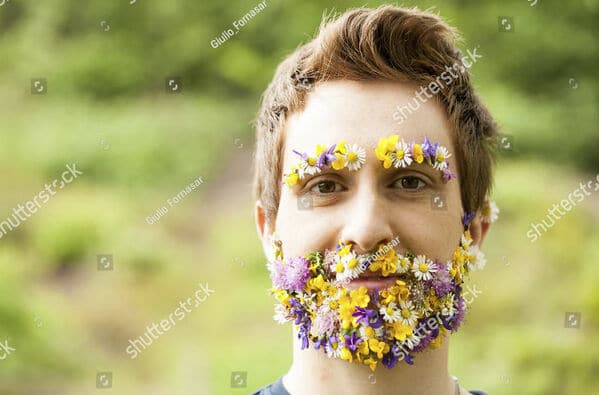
{"x":393,"y":151}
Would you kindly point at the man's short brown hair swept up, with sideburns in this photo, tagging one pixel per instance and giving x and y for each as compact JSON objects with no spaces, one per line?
{"x":388,"y":43}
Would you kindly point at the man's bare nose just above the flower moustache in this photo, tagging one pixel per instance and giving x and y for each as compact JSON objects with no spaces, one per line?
{"x":367,"y":223}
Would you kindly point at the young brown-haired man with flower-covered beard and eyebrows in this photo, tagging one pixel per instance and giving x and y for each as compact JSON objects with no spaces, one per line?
{"x":370,"y":209}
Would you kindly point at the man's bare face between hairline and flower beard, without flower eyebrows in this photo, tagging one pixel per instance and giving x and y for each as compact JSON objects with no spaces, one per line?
{"x":372,"y":205}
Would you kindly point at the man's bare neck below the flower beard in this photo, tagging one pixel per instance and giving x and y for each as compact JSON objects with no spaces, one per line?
{"x":312,"y":372}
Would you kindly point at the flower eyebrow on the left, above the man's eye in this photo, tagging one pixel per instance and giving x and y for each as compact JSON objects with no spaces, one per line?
{"x":338,"y":156}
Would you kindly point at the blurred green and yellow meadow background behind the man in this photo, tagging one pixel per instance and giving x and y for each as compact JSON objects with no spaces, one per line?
{"x":106,"y":108}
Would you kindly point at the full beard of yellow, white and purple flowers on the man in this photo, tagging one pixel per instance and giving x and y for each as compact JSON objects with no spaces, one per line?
{"x":369,"y":326}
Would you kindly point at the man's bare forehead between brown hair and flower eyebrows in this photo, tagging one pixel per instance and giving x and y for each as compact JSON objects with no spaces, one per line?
{"x":362,"y":113}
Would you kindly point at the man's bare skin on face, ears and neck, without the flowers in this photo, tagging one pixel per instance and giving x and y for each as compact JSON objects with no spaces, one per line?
{"x":368,"y":207}
